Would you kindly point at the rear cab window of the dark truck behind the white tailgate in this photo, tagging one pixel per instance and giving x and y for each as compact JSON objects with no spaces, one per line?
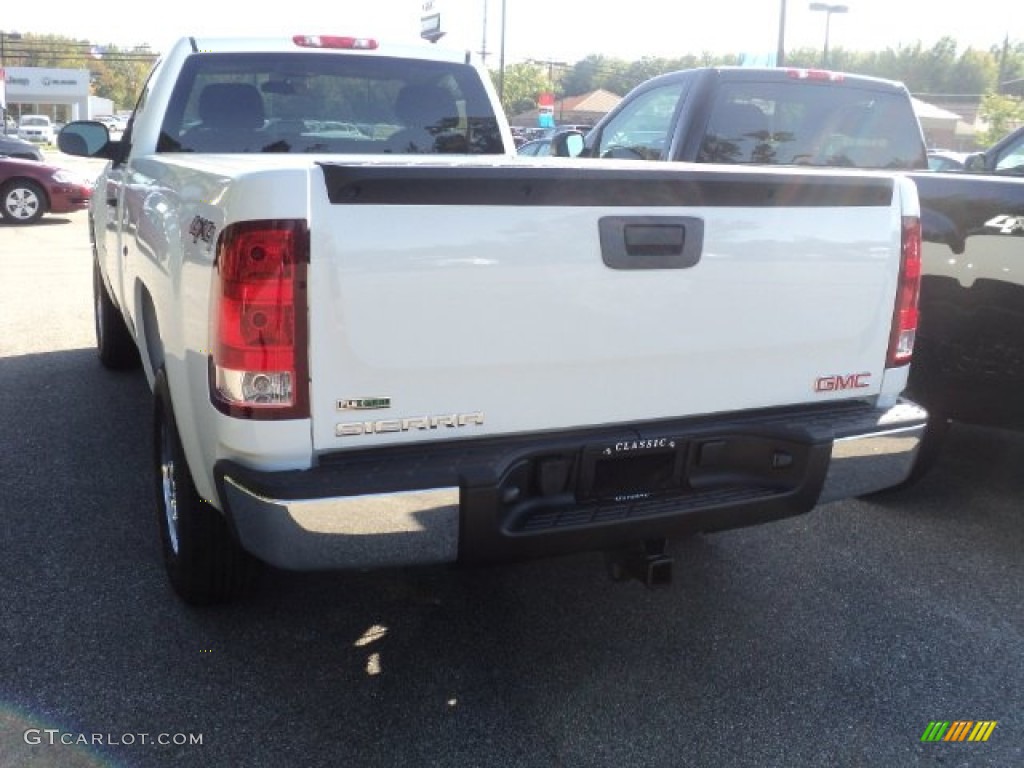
{"x":810,"y":123}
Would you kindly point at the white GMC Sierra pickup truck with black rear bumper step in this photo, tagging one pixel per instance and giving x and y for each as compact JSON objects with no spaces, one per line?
{"x":375,"y":337}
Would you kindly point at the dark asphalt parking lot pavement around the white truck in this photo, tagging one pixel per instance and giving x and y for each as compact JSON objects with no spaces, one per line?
{"x":833,"y":639}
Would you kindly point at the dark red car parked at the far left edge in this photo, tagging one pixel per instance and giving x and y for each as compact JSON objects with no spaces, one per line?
{"x":28,"y":190}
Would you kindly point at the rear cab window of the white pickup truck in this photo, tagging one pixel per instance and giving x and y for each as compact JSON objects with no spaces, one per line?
{"x":328,"y":104}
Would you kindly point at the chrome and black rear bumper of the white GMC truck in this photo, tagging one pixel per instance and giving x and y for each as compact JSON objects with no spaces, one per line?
{"x":346,"y":516}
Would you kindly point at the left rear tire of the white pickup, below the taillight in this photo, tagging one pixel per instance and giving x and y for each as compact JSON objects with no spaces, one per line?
{"x":204,"y":562}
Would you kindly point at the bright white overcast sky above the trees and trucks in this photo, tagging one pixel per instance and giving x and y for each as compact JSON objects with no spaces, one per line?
{"x":539,"y":30}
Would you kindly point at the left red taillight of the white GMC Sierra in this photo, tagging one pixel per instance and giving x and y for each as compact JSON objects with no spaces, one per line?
{"x":259,"y":362}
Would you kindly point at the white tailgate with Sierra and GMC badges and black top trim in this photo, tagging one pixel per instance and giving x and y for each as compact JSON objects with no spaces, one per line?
{"x":586,"y":296}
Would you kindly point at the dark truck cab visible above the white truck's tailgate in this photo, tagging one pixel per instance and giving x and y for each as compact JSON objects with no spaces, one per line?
{"x":748,"y":116}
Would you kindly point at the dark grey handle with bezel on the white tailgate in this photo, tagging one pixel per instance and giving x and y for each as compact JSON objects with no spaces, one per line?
{"x":651,"y":242}
